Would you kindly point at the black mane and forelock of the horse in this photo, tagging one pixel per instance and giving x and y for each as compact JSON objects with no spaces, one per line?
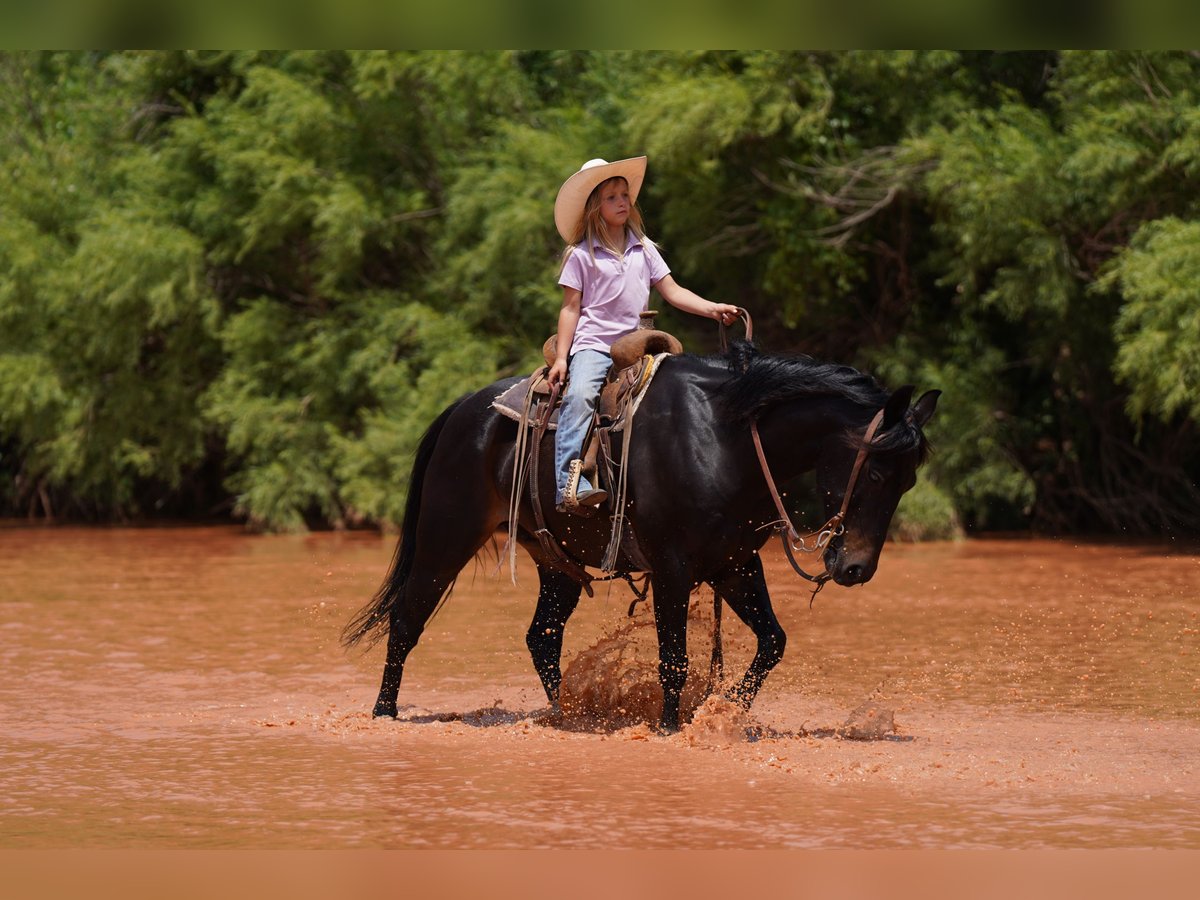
{"x":760,"y":382}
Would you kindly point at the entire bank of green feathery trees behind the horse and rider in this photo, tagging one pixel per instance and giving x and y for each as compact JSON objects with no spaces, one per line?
{"x":253,"y":279}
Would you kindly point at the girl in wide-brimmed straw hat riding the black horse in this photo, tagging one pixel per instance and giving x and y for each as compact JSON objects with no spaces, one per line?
{"x":609,"y":268}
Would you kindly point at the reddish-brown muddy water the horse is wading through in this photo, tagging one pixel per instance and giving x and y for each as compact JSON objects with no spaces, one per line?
{"x":185,"y":688}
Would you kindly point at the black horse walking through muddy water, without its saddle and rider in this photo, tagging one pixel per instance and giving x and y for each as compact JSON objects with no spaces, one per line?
{"x":698,"y":503}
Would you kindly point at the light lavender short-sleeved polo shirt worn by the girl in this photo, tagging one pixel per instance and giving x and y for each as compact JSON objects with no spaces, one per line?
{"x":615,"y":291}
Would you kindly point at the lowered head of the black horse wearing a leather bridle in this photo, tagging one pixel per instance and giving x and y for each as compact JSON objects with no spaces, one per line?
{"x":875,"y":472}
